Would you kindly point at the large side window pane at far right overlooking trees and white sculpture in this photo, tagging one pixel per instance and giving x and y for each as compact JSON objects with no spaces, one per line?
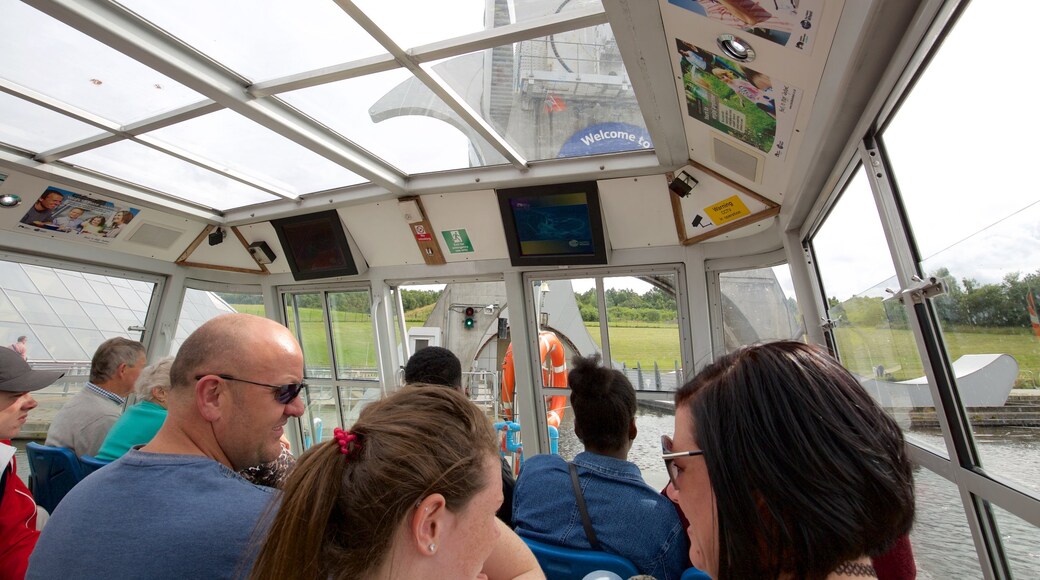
{"x":978,"y":231}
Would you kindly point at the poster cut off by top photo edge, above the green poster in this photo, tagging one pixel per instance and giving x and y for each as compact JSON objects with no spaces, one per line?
{"x":789,"y":23}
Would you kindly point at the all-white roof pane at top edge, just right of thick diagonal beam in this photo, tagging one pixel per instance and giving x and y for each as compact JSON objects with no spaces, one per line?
{"x":264,"y":39}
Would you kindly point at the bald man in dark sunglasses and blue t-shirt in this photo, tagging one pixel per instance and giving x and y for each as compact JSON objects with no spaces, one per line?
{"x":176,"y":509}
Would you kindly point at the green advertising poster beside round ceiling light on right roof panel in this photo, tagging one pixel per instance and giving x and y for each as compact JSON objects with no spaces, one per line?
{"x":738,"y":100}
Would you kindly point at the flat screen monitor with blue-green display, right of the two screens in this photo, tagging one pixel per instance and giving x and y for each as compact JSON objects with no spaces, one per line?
{"x":554,"y":225}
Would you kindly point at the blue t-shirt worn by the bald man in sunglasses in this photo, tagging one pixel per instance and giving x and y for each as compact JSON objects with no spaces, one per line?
{"x":153,"y":516}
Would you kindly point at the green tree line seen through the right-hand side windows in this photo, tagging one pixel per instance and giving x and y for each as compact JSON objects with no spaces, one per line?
{"x":967,"y":304}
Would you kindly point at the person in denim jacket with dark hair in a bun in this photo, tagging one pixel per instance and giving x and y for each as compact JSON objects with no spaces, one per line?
{"x":628,"y":517}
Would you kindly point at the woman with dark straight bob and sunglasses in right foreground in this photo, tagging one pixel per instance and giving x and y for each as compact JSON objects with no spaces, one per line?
{"x":787,"y":468}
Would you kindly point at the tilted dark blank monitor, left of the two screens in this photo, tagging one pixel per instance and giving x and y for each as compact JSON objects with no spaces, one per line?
{"x":316,"y":246}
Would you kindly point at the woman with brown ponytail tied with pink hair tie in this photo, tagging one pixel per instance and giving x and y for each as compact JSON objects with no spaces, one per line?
{"x":410,"y":491}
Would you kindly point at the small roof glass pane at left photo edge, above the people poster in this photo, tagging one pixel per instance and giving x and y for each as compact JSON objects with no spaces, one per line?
{"x":29,"y":126}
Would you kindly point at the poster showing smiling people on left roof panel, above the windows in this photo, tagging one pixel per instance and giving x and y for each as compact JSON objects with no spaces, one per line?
{"x":74,"y":215}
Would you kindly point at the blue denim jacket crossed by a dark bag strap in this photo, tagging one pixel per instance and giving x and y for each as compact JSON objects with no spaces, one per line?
{"x":631,"y":518}
